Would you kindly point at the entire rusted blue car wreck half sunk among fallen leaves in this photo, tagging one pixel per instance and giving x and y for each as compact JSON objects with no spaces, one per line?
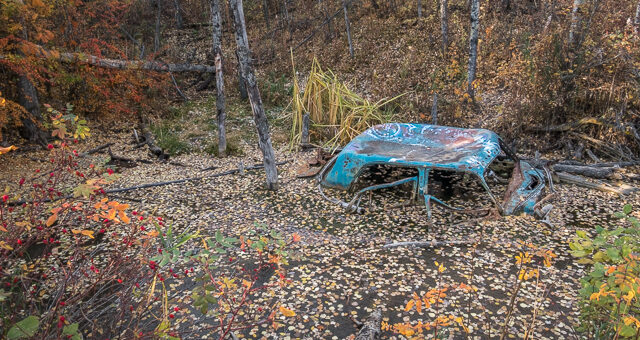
{"x":427,"y":148}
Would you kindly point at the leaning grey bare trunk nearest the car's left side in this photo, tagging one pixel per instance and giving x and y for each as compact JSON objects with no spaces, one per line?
{"x":259,"y":116}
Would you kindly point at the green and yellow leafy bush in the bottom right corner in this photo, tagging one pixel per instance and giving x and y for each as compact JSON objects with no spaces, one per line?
{"x":610,"y":305}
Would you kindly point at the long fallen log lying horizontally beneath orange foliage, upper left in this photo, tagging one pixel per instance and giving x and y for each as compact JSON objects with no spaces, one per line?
{"x":118,"y":64}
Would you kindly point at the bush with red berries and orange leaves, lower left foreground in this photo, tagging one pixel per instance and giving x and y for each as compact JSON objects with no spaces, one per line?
{"x":75,"y":264}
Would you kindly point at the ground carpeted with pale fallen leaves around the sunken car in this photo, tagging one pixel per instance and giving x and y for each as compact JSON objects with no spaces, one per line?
{"x":340,"y":269}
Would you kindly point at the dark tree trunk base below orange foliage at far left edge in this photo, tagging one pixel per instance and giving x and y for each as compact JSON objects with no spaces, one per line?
{"x":28,"y":98}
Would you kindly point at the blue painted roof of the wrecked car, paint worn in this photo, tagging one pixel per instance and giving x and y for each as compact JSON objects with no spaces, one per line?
{"x":415,"y":145}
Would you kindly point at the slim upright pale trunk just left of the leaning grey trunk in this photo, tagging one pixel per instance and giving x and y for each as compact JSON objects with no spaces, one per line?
{"x":216,"y":24}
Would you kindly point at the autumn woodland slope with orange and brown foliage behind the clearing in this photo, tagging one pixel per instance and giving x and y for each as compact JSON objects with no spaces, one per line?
{"x":540,"y":63}
